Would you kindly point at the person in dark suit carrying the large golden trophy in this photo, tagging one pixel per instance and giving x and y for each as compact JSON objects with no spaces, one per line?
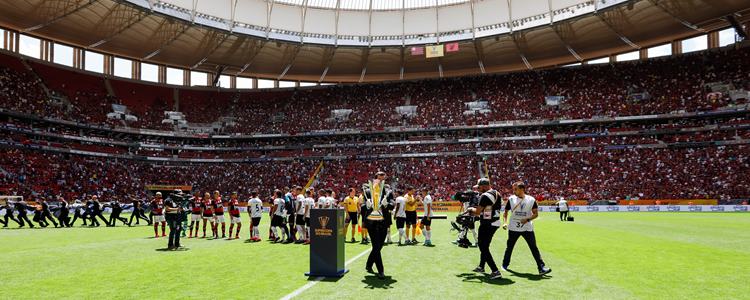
{"x":379,"y":197}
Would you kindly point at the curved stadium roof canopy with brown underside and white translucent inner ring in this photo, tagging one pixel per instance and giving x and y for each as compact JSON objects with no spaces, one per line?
{"x":365,"y":40}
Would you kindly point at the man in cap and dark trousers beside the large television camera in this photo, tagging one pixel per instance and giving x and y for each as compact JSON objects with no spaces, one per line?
{"x":488,"y":210}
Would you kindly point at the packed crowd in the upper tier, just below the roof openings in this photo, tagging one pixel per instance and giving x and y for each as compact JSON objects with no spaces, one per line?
{"x":672,"y":84}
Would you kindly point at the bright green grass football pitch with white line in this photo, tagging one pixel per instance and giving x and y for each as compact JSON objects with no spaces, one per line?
{"x":600,"y":256}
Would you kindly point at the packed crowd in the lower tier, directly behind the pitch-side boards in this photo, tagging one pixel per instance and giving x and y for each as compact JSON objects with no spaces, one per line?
{"x":667,"y":173}
